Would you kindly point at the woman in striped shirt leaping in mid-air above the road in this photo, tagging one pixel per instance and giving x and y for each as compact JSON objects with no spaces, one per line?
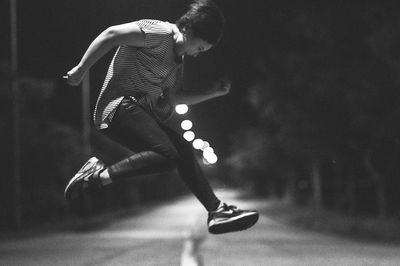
{"x":143,"y":84}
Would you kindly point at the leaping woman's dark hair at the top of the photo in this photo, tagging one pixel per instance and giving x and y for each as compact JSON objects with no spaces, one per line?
{"x":204,"y":20}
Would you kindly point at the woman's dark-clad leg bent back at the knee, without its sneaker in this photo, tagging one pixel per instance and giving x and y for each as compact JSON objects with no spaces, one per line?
{"x":135,"y":129}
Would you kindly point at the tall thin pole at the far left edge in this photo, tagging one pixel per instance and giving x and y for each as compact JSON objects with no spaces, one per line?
{"x":16,"y":182}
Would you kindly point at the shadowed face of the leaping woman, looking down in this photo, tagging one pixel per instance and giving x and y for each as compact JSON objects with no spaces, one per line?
{"x":192,"y":46}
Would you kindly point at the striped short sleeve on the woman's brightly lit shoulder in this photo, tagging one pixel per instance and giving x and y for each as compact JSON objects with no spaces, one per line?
{"x":155,"y":32}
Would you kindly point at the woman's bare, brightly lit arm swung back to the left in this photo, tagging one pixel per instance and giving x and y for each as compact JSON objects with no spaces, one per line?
{"x":124,"y":34}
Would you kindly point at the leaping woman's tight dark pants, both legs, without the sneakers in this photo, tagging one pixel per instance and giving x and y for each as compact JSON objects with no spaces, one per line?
{"x":157,"y":148}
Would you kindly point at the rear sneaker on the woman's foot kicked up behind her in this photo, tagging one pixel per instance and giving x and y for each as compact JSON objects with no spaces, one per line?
{"x":87,"y":176}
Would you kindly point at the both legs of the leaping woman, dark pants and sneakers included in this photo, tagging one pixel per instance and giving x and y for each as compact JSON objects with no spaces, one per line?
{"x":159,"y":148}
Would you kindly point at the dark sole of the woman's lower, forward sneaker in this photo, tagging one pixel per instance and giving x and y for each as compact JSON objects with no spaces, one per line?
{"x":240,"y":224}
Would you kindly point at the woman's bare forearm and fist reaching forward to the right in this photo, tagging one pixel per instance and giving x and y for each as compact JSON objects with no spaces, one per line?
{"x":219,"y":88}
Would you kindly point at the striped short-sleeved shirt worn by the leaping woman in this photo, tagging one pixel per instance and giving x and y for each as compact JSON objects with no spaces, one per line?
{"x":146,"y":74}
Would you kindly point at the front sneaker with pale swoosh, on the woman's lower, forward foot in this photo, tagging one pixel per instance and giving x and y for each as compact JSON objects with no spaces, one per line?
{"x":230,"y":219}
